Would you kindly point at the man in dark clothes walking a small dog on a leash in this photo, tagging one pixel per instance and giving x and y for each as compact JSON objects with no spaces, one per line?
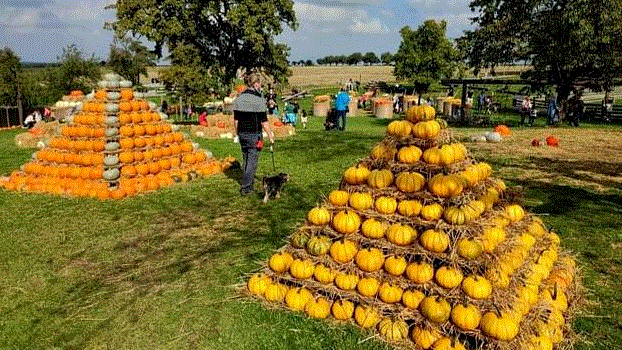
{"x":250,"y":115}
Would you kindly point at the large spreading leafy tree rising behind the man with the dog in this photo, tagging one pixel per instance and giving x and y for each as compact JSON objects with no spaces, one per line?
{"x":227,"y":36}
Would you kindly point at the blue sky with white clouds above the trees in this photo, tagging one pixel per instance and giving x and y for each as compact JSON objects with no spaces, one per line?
{"x":37,"y":30}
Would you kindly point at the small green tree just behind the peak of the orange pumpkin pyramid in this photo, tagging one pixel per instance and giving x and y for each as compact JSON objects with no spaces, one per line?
{"x":130,"y":58}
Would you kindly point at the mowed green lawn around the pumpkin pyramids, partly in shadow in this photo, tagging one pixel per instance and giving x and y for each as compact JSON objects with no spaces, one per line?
{"x":158,"y":271}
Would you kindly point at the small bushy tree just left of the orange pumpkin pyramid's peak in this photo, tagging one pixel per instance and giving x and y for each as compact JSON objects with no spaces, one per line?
{"x":74,"y":72}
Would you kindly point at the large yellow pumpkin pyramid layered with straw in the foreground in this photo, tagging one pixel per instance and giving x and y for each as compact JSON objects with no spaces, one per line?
{"x":421,"y":245}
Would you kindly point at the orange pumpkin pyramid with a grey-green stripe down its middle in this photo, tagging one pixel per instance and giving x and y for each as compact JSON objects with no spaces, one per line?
{"x":116,"y":146}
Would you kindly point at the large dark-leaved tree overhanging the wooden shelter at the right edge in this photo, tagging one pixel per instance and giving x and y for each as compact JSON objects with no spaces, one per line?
{"x":566,"y":42}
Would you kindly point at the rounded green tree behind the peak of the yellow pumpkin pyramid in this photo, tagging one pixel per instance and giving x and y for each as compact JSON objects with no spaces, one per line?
{"x":425,"y":55}
